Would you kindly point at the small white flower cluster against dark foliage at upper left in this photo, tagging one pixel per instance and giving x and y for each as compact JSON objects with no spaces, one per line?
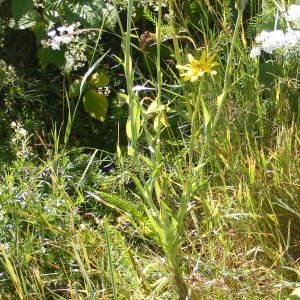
{"x":62,"y":35}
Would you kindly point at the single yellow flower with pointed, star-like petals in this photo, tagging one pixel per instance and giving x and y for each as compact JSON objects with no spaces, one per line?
{"x":197,"y":68}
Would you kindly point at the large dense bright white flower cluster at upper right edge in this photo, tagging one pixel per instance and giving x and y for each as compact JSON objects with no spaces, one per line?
{"x":269,"y":41}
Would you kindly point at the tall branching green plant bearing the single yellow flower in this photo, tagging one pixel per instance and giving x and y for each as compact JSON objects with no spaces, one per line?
{"x":166,"y":224}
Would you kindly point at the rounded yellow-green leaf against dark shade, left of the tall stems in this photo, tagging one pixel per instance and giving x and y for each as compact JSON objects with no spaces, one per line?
{"x":95,"y":104}
